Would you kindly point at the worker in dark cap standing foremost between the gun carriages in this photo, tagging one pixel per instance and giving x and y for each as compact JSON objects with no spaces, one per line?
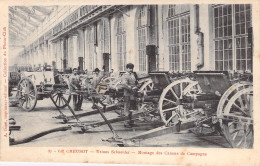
{"x":129,"y":82}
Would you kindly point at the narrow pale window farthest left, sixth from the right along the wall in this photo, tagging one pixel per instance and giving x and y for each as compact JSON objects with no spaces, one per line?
{"x":90,"y":48}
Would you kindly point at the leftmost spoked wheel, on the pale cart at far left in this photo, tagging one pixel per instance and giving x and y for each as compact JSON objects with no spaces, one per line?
{"x":27,"y":94}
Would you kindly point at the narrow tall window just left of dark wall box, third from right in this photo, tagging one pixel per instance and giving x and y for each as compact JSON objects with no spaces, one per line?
{"x":141,"y":34}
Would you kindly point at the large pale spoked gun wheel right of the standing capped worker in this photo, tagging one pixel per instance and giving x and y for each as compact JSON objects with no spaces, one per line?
{"x":170,"y":107}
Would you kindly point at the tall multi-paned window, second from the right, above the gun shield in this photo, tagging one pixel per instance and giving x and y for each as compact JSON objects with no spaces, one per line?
{"x":179,"y":37}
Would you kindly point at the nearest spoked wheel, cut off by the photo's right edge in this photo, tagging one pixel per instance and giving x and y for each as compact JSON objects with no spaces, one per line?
{"x":237,"y":119}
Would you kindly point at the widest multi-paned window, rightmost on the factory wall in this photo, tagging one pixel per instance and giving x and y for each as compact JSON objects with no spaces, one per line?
{"x":223,"y":27}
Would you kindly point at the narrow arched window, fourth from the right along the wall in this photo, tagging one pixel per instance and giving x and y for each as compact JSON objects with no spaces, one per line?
{"x":121,"y":43}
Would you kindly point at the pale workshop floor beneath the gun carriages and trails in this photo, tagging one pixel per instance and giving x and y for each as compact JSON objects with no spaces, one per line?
{"x":41,"y":119}
